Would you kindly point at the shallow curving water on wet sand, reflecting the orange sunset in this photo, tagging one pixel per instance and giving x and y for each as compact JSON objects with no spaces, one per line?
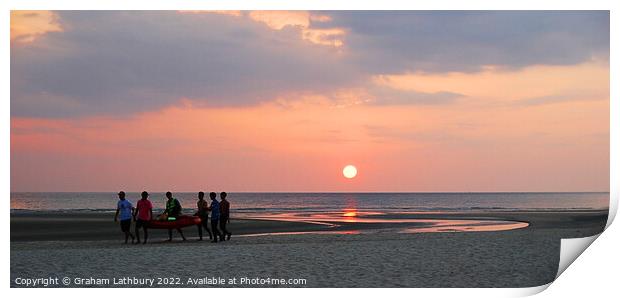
{"x":351,"y":221}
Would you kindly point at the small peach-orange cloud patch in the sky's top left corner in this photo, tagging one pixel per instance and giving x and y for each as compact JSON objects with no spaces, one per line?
{"x":27,"y":25}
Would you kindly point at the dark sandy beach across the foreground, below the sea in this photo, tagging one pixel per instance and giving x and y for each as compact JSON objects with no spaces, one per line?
{"x":348,"y":254}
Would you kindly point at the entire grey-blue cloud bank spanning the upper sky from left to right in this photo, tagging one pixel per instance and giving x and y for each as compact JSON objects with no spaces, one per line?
{"x":123,"y":62}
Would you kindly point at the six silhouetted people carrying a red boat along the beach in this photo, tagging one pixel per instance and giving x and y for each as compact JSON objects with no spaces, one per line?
{"x":143,"y":213}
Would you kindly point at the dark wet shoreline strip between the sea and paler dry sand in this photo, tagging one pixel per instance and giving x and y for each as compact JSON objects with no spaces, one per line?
{"x":89,"y":226}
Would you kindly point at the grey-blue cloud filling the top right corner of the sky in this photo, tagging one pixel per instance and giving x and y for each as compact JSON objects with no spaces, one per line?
{"x":444,"y":41}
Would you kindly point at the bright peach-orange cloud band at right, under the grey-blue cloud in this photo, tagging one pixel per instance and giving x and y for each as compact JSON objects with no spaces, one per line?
{"x":589,"y":81}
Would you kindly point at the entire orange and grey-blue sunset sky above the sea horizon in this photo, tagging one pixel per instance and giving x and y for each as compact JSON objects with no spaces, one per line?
{"x":418,"y":101}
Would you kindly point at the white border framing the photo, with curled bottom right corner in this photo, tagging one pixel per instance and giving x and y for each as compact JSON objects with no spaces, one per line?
{"x":574,"y":280}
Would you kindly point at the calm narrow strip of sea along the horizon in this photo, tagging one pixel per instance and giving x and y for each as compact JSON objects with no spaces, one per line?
{"x":246,"y":202}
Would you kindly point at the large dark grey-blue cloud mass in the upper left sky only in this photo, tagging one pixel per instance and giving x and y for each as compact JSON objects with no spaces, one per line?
{"x":124,"y":62}
